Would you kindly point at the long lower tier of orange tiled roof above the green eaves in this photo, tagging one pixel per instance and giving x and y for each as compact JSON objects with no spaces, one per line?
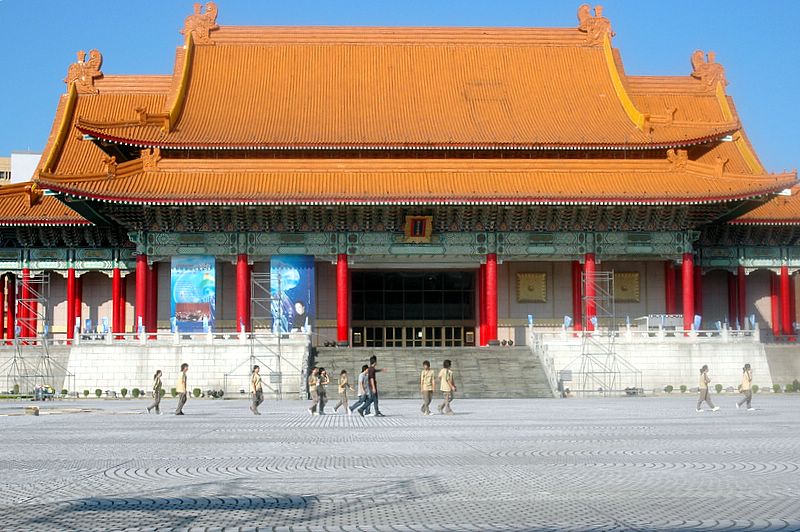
{"x":417,"y":181}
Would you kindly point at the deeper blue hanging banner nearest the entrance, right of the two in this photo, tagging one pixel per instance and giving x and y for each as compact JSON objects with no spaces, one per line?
{"x":292,"y":292}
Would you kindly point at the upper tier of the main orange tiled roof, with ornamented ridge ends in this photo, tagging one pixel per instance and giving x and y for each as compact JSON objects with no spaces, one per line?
{"x":320,"y":87}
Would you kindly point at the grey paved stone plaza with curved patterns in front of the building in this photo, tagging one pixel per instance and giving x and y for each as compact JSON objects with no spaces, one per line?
{"x":595,"y":464}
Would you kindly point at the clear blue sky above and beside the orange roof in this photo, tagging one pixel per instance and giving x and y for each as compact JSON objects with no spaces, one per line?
{"x":755,"y":41}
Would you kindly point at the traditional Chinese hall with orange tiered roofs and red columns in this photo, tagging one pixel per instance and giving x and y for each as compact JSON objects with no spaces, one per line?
{"x":451,"y":185}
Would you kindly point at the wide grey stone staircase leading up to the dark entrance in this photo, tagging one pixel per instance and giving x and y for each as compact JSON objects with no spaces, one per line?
{"x":480,"y":372}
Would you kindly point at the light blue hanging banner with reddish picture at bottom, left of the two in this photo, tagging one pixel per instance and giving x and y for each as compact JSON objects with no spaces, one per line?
{"x":193,"y":289}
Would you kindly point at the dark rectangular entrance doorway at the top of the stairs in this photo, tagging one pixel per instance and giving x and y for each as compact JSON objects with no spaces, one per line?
{"x":413,"y":309}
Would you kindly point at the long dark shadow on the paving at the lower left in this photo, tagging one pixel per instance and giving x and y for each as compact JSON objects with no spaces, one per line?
{"x":200,"y":505}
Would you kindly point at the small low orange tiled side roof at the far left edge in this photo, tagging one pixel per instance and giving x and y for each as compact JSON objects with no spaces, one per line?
{"x":16,"y":208}
